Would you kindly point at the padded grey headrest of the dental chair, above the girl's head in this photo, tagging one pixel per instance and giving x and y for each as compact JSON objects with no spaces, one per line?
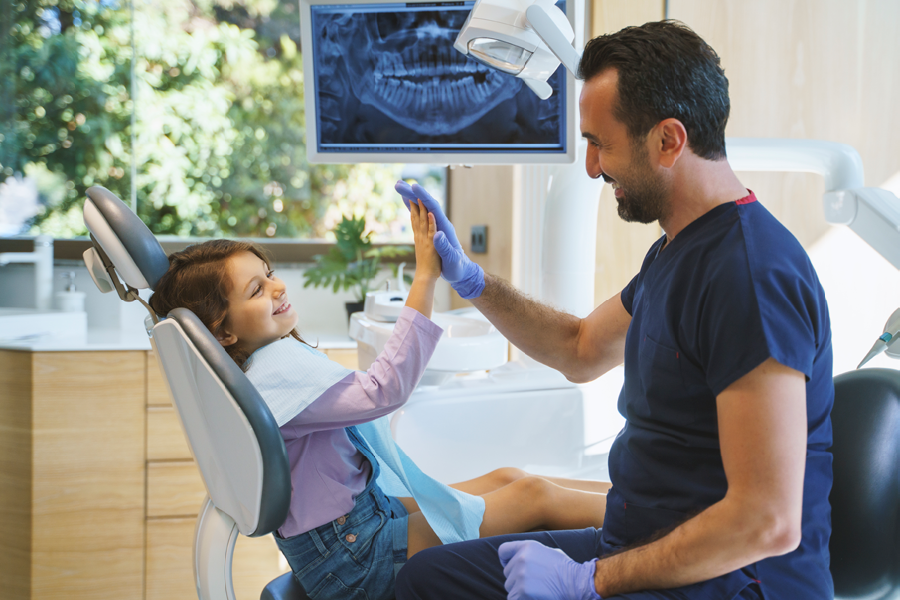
{"x":139,"y":259}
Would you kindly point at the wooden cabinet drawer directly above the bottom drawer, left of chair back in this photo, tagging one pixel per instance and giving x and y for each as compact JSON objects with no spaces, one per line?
{"x":174,"y":489}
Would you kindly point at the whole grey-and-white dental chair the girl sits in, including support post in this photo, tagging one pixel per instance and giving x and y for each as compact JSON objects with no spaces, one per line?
{"x":231,"y":433}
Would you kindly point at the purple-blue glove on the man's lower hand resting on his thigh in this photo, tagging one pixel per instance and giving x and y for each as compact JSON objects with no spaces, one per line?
{"x":537,"y":572}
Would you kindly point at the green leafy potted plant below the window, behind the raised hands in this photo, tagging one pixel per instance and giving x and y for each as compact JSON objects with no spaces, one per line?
{"x":353,"y":262}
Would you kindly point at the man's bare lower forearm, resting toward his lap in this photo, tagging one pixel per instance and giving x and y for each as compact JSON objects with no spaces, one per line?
{"x":717,"y":541}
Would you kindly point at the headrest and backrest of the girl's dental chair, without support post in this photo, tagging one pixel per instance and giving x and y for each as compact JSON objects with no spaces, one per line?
{"x":230,"y":430}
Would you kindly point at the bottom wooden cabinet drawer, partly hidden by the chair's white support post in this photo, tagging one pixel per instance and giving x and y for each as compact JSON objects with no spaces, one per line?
{"x":170,"y":574}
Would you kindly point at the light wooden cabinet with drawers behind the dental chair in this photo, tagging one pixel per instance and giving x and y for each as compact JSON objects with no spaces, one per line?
{"x":99,"y":493}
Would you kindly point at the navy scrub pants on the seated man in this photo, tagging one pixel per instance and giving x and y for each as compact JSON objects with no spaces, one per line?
{"x":472,"y":570}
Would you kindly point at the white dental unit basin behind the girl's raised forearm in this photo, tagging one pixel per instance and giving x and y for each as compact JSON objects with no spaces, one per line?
{"x":469,"y":343}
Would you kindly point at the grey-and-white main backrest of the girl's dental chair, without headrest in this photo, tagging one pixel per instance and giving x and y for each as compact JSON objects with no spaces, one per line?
{"x":233,"y":436}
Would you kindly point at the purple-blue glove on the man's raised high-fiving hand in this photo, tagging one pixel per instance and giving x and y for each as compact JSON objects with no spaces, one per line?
{"x":465,"y":276}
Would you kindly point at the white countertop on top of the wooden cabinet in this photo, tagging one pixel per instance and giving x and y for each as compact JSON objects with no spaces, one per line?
{"x":113,"y":339}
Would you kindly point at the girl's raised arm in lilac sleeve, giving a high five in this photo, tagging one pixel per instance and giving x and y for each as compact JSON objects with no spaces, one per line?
{"x":388,"y":383}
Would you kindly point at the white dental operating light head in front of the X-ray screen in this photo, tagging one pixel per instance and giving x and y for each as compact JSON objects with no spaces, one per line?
{"x":525,"y":38}
